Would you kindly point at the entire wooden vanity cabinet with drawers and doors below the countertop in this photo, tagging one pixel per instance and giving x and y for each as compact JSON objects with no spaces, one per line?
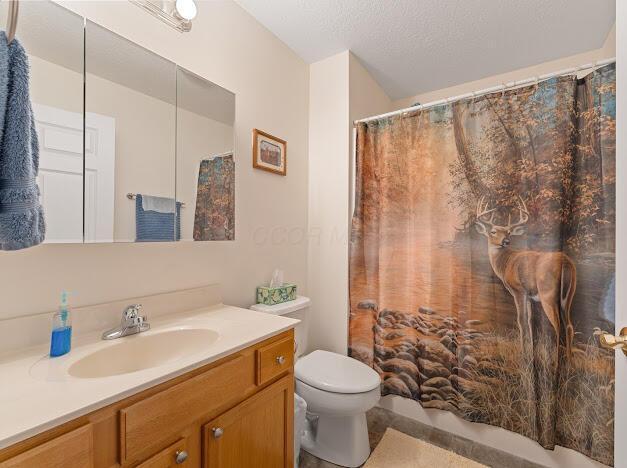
{"x":234,"y":413}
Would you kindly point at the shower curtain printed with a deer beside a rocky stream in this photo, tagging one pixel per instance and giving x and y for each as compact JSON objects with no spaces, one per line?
{"x":483,"y":233}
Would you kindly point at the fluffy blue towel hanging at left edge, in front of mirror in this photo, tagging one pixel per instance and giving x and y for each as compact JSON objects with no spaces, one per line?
{"x":21,"y":215}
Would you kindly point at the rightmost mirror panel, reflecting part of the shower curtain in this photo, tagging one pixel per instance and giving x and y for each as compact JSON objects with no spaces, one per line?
{"x":205,"y":168}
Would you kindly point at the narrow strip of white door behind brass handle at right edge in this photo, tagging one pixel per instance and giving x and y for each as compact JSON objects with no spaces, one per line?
{"x":620,"y":415}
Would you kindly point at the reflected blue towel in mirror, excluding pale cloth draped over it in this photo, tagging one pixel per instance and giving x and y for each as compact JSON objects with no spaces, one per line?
{"x":156,"y":226}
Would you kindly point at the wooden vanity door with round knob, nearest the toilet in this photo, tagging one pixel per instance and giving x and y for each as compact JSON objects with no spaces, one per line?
{"x":258,"y":433}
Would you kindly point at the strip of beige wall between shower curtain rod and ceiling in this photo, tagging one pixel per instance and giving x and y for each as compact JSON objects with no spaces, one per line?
{"x":607,"y":51}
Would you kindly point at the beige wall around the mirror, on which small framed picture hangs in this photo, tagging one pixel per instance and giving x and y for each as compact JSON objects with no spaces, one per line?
{"x":226,"y":46}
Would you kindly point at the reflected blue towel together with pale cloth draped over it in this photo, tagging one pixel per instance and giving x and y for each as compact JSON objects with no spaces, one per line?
{"x":157,"y":219}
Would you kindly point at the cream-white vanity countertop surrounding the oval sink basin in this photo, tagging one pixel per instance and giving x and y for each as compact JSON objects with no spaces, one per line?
{"x":35,"y":401}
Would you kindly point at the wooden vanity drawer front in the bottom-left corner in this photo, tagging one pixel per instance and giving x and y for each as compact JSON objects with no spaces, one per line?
{"x":72,"y":450}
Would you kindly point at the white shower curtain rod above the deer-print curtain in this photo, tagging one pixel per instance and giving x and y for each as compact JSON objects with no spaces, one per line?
{"x":493,"y":89}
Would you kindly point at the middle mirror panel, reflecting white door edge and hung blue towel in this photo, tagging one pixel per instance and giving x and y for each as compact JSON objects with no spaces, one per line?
{"x":130,"y":141}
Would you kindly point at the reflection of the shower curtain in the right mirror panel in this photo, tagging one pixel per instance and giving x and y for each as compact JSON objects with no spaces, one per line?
{"x":215,"y":200}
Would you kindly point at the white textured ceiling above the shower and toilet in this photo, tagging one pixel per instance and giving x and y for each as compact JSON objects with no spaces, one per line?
{"x":414,"y":46}
